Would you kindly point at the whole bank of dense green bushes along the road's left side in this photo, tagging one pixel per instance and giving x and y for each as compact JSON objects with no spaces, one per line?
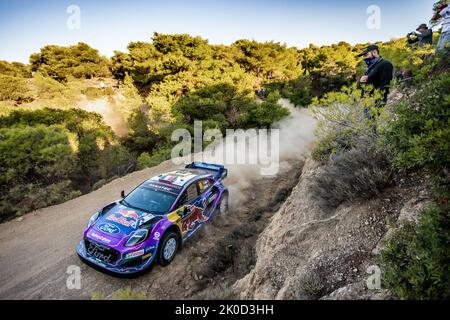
{"x":49,"y":155}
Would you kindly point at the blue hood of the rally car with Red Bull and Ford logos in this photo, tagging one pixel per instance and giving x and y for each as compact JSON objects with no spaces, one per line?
{"x":120,"y":221}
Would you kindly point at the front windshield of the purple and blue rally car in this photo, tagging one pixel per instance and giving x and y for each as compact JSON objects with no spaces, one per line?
{"x":147,"y":199}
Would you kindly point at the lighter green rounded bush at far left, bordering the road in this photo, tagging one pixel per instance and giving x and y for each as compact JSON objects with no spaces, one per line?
{"x":35,"y":166}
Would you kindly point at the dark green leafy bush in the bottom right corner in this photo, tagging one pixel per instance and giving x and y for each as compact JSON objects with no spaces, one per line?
{"x":416,"y":259}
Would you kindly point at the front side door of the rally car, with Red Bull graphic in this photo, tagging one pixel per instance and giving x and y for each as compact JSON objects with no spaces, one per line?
{"x":191,"y":208}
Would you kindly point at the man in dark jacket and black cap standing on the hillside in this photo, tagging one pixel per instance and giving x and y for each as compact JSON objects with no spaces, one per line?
{"x":379,"y":72}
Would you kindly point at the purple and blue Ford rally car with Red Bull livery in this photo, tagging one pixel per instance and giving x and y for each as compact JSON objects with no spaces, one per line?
{"x":153,"y":220}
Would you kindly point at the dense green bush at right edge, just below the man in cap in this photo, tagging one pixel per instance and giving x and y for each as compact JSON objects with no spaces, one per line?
{"x":419,"y":135}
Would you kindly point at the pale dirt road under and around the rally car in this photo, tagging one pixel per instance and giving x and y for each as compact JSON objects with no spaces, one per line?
{"x":37,"y":251}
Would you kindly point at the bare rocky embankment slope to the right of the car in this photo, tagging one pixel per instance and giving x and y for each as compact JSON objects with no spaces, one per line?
{"x":308,"y":252}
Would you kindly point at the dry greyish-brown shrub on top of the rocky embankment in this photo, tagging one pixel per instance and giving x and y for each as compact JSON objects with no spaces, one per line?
{"x":359,"y":173}
